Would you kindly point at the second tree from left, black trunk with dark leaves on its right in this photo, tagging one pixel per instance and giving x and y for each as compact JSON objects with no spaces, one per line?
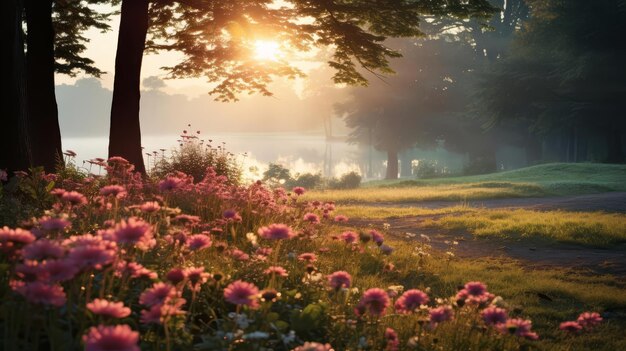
{"x":54,"y":44}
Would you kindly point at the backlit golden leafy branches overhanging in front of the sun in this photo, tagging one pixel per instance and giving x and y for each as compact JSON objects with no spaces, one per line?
{"x":217,"y":37}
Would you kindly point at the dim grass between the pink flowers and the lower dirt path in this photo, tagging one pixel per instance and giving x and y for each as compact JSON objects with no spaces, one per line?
{"x":547,"y":297}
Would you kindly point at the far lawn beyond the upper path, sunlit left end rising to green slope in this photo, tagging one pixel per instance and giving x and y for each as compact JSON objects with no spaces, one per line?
{"x":557,"y":179}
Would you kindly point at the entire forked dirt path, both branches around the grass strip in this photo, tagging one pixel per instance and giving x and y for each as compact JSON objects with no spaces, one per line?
{"x":590,"y":260}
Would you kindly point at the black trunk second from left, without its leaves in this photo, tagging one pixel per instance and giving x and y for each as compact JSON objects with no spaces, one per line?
{"x":45,"y":135}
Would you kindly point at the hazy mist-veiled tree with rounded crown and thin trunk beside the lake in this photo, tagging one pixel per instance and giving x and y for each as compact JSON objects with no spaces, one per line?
{"x":418,"y":106}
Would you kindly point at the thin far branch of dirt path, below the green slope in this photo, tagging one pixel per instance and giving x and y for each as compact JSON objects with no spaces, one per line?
{"x":608,"y":202}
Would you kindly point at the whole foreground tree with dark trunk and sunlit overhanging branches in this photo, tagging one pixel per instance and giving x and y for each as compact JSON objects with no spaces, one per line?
{"x":217,"y":39}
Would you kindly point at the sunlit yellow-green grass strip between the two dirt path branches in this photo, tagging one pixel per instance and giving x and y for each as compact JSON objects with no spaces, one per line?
{"x":596,"y":229}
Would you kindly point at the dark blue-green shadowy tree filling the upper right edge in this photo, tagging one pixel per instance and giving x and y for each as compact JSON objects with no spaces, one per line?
{"x":565,"y":77}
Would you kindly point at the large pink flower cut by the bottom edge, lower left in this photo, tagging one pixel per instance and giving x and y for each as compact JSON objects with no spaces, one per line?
{"x":108,"y":338}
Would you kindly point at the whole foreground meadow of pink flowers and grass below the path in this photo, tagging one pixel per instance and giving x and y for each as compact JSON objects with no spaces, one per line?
{"x":126,"y":263}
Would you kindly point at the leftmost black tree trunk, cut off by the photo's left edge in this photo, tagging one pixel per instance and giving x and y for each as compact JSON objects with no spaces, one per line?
{"x":14,"y":147}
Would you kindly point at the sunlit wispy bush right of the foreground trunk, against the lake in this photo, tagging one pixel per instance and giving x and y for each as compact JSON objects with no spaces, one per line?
{"x":193,"y":158}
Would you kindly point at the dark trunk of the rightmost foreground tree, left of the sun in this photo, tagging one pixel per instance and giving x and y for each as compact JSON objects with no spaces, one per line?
{"x":125,"y":133}
